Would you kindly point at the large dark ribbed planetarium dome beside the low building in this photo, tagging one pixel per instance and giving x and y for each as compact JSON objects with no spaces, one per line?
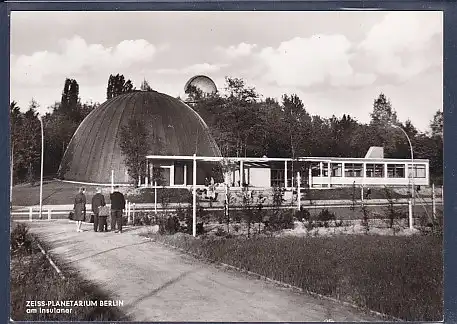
{"x":94,"y":149}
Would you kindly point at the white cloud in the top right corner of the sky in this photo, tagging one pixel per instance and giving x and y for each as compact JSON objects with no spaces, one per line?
{"x":404,"y":44}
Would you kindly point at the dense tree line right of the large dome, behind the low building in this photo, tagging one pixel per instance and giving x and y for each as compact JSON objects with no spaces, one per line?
{"x":244,"y":124}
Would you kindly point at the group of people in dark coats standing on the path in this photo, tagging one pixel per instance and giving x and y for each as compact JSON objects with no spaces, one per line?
{"x":98,"y":208}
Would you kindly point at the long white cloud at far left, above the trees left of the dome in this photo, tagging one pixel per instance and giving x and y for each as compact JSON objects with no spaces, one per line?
{"x":78,"y":57}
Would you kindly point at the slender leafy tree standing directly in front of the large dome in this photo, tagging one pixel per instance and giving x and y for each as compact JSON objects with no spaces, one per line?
{"x":134,"y":146}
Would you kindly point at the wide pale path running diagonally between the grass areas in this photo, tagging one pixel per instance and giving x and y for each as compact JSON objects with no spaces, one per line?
{"x":160,"y":284}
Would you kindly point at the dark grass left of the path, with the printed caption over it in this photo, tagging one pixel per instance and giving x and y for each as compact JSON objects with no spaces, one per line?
{"x":34,"y":279}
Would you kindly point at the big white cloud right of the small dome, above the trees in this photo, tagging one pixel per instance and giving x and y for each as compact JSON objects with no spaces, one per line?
{"x":306,"y":62}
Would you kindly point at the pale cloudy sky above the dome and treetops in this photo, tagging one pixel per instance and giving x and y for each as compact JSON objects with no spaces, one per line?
{"x":337,"y":62}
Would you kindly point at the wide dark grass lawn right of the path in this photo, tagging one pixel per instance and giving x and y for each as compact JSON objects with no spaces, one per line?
{"x":398,"y":276}
